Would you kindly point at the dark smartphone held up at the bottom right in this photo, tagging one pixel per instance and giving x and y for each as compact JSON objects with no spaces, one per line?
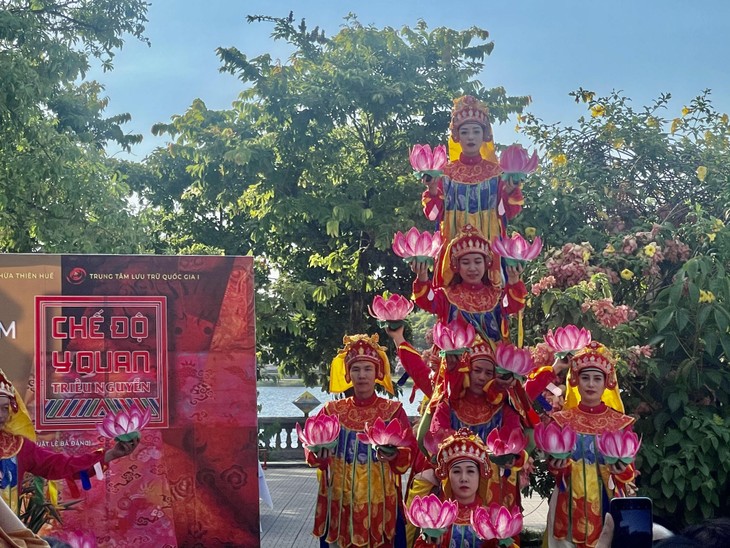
{"x":632,"y":518}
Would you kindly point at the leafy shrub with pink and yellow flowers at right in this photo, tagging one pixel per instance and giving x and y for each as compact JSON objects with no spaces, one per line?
{"x":634,"y":208}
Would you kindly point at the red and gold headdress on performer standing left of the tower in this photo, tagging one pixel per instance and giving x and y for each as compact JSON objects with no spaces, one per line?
{"x":359,"y":348}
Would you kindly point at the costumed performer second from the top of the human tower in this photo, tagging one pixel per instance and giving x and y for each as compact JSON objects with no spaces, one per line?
{"x":473,"y":290}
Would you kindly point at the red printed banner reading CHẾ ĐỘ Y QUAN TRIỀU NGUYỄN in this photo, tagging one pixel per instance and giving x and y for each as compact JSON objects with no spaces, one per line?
{"x":85,"y":335}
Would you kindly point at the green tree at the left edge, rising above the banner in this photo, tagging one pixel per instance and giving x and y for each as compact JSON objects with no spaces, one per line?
{"x":59,"y":193}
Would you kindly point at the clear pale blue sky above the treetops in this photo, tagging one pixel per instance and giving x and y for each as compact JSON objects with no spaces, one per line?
{"x":543,"y":48}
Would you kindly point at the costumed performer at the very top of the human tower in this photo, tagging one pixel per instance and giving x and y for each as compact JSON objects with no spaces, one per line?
{"x":470,"y":191}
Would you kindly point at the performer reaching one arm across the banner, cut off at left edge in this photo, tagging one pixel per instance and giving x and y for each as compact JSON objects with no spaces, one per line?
{"x":19,"y":453}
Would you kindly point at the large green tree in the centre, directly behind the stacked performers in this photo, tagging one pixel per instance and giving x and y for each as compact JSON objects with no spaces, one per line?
{"x":309,"y":171}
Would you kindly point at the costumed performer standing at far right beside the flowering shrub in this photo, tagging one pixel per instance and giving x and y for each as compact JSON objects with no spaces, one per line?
{"x":585,"y":483}
